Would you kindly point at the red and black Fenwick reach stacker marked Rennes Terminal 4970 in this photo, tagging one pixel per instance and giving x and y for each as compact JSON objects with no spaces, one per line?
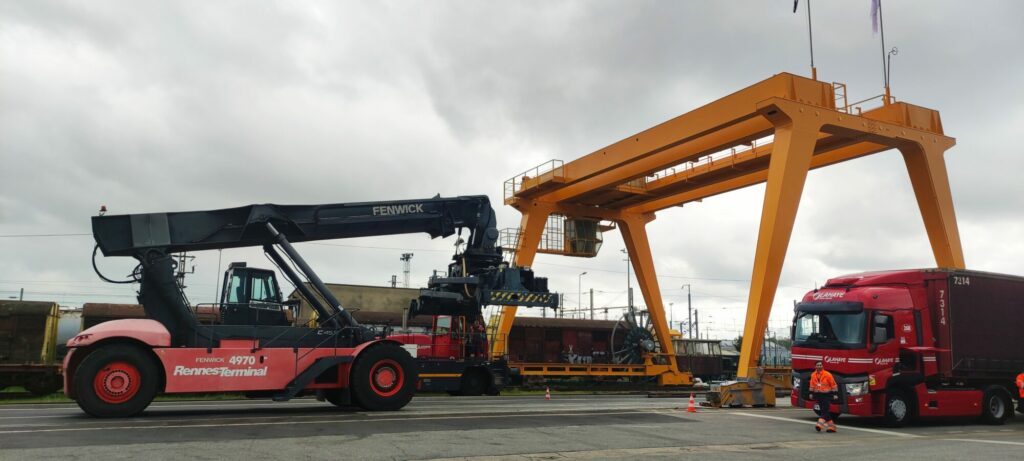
{"x":115,"y":369}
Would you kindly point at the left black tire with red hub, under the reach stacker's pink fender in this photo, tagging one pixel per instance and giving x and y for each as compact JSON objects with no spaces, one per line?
{"x":116,"y":382}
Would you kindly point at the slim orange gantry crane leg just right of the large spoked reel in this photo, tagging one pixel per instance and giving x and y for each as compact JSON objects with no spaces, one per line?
{"x":635,"y":234}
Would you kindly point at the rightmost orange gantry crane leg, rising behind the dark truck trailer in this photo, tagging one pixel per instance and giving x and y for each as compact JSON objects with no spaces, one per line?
{"x":927,"y":167}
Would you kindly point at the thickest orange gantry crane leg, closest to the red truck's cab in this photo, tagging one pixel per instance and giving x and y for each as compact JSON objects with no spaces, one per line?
{"x":791,"y":160}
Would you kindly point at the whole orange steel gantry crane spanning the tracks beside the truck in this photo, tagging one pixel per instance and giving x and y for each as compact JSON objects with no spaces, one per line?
{"x":774,"y":132}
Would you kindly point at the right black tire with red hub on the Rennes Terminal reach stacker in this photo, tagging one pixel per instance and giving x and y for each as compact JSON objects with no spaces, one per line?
{"x":383,"y":379}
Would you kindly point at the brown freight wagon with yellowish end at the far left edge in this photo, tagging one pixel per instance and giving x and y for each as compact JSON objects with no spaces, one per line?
{"x":28,"y":347}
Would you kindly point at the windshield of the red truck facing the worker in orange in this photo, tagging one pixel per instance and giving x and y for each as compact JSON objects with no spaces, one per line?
{"x":831,"y":330}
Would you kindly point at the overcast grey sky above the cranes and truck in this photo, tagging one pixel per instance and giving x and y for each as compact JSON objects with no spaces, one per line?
{"x":150,"y":107}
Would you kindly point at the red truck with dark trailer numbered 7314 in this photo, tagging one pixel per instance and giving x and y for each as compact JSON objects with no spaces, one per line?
{"x":913,"y":344}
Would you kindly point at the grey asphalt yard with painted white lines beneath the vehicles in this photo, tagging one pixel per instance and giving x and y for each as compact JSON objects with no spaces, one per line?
{"x":485,"y":429}
